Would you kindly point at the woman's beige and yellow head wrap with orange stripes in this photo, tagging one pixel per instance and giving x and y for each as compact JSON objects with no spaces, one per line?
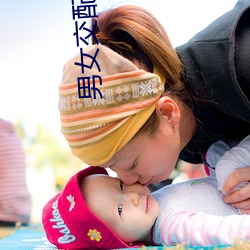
{"x":97,"y":128}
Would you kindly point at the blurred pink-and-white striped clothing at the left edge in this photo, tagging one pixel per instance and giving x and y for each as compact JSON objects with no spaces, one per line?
{"x":15,"y":200}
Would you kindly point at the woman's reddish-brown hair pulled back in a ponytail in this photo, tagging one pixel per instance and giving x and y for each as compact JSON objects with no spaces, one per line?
{"x":136,"y":34}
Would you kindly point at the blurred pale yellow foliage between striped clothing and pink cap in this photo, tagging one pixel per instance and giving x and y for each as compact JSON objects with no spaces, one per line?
{"x":45,"y":150}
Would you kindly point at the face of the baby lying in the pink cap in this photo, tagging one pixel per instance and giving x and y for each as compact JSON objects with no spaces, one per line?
{"x":130,"y":211}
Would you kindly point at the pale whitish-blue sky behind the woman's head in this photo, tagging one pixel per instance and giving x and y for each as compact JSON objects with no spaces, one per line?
{"x":37,"y":39}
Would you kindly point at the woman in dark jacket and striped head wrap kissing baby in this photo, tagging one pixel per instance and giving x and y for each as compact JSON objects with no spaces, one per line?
{"x":137,"y":125}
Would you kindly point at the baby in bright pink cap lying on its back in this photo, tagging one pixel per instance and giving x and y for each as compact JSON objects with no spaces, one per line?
{"x":96,"y":211}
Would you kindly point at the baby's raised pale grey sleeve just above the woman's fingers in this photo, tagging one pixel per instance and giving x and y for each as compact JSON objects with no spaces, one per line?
{"x":237,"y":157}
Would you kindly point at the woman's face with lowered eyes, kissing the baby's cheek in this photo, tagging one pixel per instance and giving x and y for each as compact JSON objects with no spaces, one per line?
{"x":148,"y":159}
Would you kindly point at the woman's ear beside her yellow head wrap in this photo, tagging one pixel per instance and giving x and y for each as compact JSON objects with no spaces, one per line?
{"x":168,"y":109}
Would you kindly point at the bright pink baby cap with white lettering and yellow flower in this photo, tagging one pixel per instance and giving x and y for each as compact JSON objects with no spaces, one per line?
{"x":69,"y":223}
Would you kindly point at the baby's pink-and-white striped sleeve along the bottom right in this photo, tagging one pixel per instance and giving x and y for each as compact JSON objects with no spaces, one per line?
{"x":201,"y":229}
